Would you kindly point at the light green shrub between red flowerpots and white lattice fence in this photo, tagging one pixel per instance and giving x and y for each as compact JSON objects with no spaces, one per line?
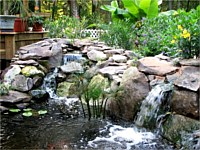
{"x":65,"y":26}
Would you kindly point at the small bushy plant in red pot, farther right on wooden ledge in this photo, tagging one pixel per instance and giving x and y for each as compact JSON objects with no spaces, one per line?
{"x":36,"y":22}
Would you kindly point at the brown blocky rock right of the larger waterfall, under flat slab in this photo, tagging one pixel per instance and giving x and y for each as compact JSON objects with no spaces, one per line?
{"x":185,"y":103}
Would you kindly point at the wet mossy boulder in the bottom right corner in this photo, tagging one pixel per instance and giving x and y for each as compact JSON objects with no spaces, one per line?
{"x":181,"y":131}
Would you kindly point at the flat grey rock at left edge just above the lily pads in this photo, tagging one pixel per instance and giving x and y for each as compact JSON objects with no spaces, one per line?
{"x":15,"y":97}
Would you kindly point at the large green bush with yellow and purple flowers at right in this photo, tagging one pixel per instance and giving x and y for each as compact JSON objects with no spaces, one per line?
{"x":174,"y":33}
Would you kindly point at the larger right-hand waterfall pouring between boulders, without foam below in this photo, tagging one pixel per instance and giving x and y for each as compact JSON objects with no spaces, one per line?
{"x":154,"y":105}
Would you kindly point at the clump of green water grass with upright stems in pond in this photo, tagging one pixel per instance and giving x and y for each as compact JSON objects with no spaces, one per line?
{"x":92,"y":91}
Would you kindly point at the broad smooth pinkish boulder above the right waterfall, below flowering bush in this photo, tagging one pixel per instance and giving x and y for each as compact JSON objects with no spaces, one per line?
{"x":155,"y":66}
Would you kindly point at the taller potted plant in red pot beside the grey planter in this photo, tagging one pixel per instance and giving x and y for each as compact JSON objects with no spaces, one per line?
{"x":18,"y":8}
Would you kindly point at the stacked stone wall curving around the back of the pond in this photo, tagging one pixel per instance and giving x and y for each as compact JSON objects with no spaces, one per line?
{"x":131,"y":77}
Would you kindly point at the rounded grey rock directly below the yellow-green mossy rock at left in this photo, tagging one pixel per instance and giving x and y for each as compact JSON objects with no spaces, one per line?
{"x":22,"y":83}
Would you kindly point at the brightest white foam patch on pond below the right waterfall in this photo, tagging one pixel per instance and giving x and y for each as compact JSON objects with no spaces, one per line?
{"x":120,"y":135}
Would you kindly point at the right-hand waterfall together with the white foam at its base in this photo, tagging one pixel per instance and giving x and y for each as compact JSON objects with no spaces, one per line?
{"x":156,"y":103}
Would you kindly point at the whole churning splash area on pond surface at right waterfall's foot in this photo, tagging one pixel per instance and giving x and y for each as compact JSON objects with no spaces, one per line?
{"x":118,"y":137}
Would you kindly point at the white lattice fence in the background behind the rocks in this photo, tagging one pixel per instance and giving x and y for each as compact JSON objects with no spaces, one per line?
{"x":94,"y":33}
